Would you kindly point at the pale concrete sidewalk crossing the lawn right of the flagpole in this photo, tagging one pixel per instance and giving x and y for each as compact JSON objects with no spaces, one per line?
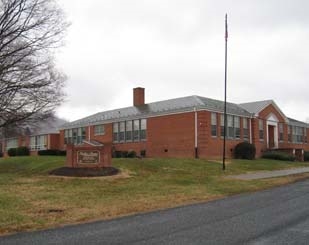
{"x":270,"y":174}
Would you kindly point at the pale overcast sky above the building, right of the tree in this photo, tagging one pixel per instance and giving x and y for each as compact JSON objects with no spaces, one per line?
{"x":175,"y":48}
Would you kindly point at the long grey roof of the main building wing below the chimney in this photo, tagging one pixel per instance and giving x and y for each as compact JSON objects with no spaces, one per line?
{"x":165,"y":107}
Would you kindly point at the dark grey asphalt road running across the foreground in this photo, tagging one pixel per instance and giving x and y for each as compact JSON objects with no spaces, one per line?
{"x":275,"y":216}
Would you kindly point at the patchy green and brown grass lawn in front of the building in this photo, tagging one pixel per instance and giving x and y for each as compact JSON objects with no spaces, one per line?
{"x":31,"y":199}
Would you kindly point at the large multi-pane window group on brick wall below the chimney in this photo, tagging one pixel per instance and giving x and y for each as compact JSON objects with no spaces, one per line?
{"x":128,"y":131}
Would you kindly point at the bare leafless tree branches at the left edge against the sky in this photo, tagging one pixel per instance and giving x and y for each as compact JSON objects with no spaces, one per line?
{"x":30,"y":85}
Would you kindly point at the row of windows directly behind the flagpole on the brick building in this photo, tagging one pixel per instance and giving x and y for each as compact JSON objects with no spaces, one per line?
{"x":232,"y":126}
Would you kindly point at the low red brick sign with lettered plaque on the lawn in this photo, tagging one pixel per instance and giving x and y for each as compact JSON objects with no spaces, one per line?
{"x":88,"y":156}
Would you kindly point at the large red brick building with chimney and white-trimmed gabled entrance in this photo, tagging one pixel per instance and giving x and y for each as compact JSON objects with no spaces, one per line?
{"x":188,"y":127}
